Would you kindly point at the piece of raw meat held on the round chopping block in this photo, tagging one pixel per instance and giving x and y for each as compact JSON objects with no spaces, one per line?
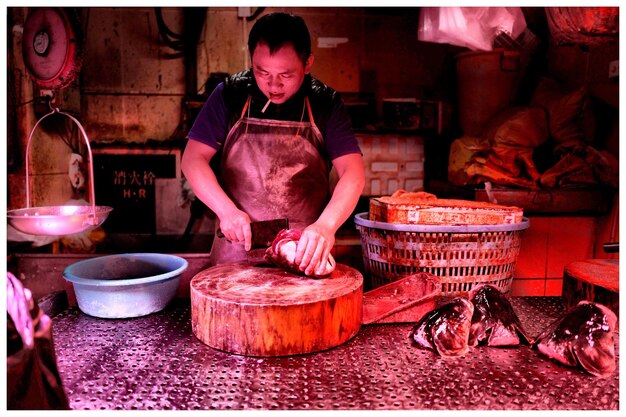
{"x":282,"y":253}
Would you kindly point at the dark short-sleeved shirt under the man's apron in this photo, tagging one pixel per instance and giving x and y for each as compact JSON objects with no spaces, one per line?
{"x":330,"y":115}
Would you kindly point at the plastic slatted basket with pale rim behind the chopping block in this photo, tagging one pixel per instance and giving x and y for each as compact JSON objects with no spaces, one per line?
{"x":462,"y":256}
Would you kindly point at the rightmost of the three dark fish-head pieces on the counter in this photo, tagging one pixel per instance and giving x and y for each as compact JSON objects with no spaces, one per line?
{"x":583,"y":336}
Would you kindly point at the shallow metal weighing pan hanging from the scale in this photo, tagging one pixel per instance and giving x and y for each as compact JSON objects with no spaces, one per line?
{"x":57,"y":220}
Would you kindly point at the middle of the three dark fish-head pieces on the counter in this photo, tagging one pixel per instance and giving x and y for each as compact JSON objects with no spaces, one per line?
{"x":494,"y":320}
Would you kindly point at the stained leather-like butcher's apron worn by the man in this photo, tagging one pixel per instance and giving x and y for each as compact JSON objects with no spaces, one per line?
{"x":272,"y":169}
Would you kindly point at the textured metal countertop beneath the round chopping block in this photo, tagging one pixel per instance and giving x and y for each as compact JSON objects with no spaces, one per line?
{"x":156,"y":363}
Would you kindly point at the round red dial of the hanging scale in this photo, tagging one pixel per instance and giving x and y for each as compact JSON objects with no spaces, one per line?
{"x":52,"y":47}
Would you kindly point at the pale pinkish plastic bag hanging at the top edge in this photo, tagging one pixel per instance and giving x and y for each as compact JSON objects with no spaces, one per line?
{"x":471,"y":27}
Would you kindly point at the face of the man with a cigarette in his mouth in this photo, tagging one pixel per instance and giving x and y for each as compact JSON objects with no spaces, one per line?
{"x":280,"y":75}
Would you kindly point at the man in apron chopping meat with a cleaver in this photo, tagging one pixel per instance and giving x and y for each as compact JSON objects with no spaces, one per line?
{"x":275,"y":130}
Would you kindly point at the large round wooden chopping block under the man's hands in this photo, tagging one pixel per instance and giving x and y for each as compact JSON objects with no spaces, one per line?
{"x":265,"y":311}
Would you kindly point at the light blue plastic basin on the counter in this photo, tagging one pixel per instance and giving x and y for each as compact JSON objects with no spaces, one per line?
{"x":125,"y":285}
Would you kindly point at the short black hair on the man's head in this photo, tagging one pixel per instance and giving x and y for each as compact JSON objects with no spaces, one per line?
{"x":278,"y":29}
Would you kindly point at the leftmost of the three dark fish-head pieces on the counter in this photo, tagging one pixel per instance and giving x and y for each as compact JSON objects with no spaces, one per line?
{"x":446,"y":329}
